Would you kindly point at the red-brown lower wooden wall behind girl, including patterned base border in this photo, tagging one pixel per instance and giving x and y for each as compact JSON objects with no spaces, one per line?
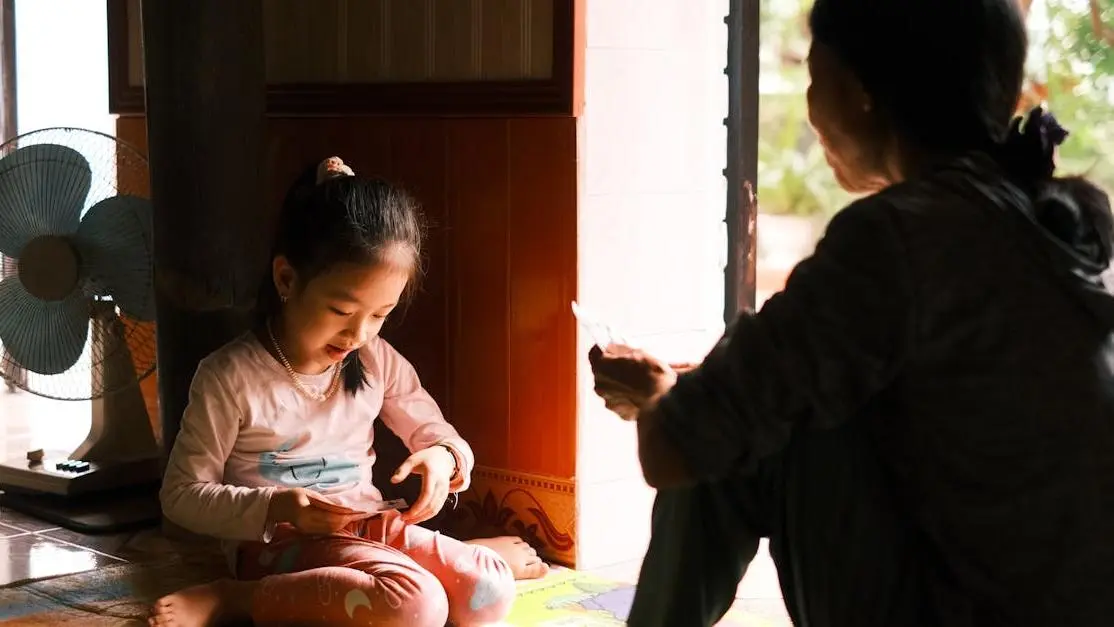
{"x":491,"y":331}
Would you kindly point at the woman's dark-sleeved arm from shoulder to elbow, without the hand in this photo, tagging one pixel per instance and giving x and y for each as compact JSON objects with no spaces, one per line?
{"x":815,"y":356}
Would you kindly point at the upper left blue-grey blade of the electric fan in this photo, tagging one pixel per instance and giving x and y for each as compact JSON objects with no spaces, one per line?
{"x":43,"y":191}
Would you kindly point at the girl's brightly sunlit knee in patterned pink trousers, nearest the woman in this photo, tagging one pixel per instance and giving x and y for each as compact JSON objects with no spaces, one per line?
{"x":483,"y":590}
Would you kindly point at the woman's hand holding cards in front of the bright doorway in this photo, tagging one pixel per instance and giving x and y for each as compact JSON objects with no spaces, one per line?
{"x":630,"y":380}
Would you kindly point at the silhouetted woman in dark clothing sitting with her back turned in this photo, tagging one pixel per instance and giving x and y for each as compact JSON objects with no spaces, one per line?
{"x":923,"y":422}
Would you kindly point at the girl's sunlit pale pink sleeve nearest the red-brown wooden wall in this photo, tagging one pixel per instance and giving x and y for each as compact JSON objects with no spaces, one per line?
{"x":414,"y":416}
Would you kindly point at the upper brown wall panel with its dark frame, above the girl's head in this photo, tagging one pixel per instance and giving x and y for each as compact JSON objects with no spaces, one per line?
{"x":395,"y":57}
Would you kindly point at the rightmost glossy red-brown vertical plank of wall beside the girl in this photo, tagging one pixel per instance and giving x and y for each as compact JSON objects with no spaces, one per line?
{"x":542,"y":249}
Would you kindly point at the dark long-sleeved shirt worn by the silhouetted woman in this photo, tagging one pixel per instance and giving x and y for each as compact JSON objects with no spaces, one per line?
{"x":979,"y":348}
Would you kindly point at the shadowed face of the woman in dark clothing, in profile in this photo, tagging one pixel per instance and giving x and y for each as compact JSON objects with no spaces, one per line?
{"x":843,"y":115}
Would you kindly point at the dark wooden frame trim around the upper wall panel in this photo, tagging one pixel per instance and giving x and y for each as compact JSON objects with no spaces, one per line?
{"x":556,"y":96}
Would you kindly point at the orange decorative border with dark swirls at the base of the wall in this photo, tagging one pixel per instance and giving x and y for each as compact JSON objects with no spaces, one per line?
{"x":540,"y":510}
